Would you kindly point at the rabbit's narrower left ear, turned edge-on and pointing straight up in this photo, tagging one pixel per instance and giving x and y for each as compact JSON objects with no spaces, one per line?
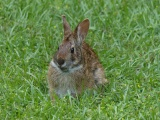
{"x":67,"y":29}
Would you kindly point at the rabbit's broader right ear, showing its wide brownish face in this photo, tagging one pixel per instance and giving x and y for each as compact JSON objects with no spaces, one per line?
{"x":81,"y":30}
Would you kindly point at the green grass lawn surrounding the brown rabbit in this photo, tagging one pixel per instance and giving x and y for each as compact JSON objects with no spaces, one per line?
{"x":124,"y":33}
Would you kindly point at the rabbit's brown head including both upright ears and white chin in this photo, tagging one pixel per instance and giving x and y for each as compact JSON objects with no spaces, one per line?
{"x":69,"y":57}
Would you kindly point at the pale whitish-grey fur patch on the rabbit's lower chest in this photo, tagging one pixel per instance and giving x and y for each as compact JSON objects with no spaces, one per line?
{"x":65,"y":85}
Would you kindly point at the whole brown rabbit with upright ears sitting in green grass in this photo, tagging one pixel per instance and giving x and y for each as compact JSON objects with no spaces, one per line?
{"x":75,"y":66}
